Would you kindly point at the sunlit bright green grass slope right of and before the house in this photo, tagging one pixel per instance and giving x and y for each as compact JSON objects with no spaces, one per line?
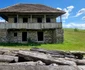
{"x":73,"y":40}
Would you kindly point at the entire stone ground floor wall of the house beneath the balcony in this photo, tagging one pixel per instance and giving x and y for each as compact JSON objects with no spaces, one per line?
{"x":49,"y":36}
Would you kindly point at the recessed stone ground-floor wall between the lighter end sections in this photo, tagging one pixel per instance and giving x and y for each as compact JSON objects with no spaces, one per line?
{"x":31,"y":34}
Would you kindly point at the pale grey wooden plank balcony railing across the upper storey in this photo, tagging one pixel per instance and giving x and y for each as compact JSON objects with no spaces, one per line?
{"x":30,"y":25}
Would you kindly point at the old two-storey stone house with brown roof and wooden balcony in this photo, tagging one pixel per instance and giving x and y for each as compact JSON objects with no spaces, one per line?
{"x":33,"y":22}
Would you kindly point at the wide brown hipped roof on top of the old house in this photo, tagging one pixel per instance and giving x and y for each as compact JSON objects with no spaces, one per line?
{"x":30,"y":8}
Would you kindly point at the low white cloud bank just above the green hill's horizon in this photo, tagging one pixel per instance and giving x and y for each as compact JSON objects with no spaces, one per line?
{"x":74,"y":25}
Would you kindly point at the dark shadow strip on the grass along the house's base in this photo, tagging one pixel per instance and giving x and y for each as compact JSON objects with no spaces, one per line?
{"x":19,"y":44}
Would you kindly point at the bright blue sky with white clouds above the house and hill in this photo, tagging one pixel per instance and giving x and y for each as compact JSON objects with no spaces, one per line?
{"x":75,"y":10}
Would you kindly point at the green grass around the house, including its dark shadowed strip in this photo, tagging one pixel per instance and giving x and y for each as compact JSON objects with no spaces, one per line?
{"x":73,"y":40}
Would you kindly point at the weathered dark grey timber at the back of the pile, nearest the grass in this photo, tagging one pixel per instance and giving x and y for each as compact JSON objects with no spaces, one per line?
{"x":54,"y":53}
